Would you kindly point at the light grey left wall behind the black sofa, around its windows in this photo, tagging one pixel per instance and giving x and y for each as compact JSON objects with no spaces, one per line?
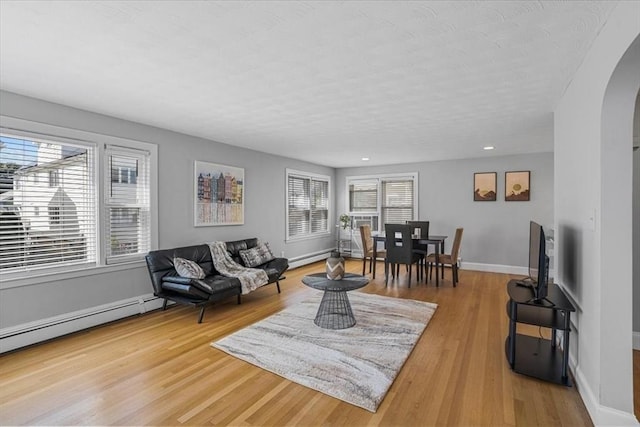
{"x":264,"y":211}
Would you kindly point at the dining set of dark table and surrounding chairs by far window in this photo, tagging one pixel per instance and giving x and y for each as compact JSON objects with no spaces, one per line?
{"x":412,"y":245}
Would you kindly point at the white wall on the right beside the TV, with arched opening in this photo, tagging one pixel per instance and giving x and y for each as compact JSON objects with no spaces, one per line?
{"x":593,"y":123}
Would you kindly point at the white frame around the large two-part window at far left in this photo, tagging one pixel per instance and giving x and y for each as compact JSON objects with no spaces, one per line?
{"x":29,"y":129}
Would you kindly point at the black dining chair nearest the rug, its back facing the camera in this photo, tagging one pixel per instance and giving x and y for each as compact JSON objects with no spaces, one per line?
{"x":399,"y":250}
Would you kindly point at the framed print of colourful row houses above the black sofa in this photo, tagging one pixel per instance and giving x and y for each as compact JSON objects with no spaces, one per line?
{"x":218,"y":194}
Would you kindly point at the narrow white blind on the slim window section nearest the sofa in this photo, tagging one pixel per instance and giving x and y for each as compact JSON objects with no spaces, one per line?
{"x":127,"y":204}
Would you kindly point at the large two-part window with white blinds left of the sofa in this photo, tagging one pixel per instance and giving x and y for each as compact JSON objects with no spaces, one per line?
{"x":78,"y":212}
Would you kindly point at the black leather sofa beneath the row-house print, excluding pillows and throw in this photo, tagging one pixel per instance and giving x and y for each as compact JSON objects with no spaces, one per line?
{"x":169,"y":285}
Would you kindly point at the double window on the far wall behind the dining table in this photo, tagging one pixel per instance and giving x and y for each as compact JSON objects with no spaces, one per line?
{"x":382,"y":199}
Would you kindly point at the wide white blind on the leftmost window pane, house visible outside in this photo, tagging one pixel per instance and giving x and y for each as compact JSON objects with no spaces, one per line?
{"x":47,"y":204}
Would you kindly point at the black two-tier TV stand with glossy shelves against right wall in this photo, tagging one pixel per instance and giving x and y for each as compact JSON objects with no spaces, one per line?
{"x":532,"y":355}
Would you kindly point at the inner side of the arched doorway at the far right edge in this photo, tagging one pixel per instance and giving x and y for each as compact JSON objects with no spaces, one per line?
{"x":616,"y":274}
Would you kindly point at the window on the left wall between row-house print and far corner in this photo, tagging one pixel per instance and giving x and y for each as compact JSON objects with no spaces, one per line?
{"x":307,"y":205}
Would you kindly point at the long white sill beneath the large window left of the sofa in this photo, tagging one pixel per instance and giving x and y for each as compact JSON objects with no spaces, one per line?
{"x":45,"y":276}
